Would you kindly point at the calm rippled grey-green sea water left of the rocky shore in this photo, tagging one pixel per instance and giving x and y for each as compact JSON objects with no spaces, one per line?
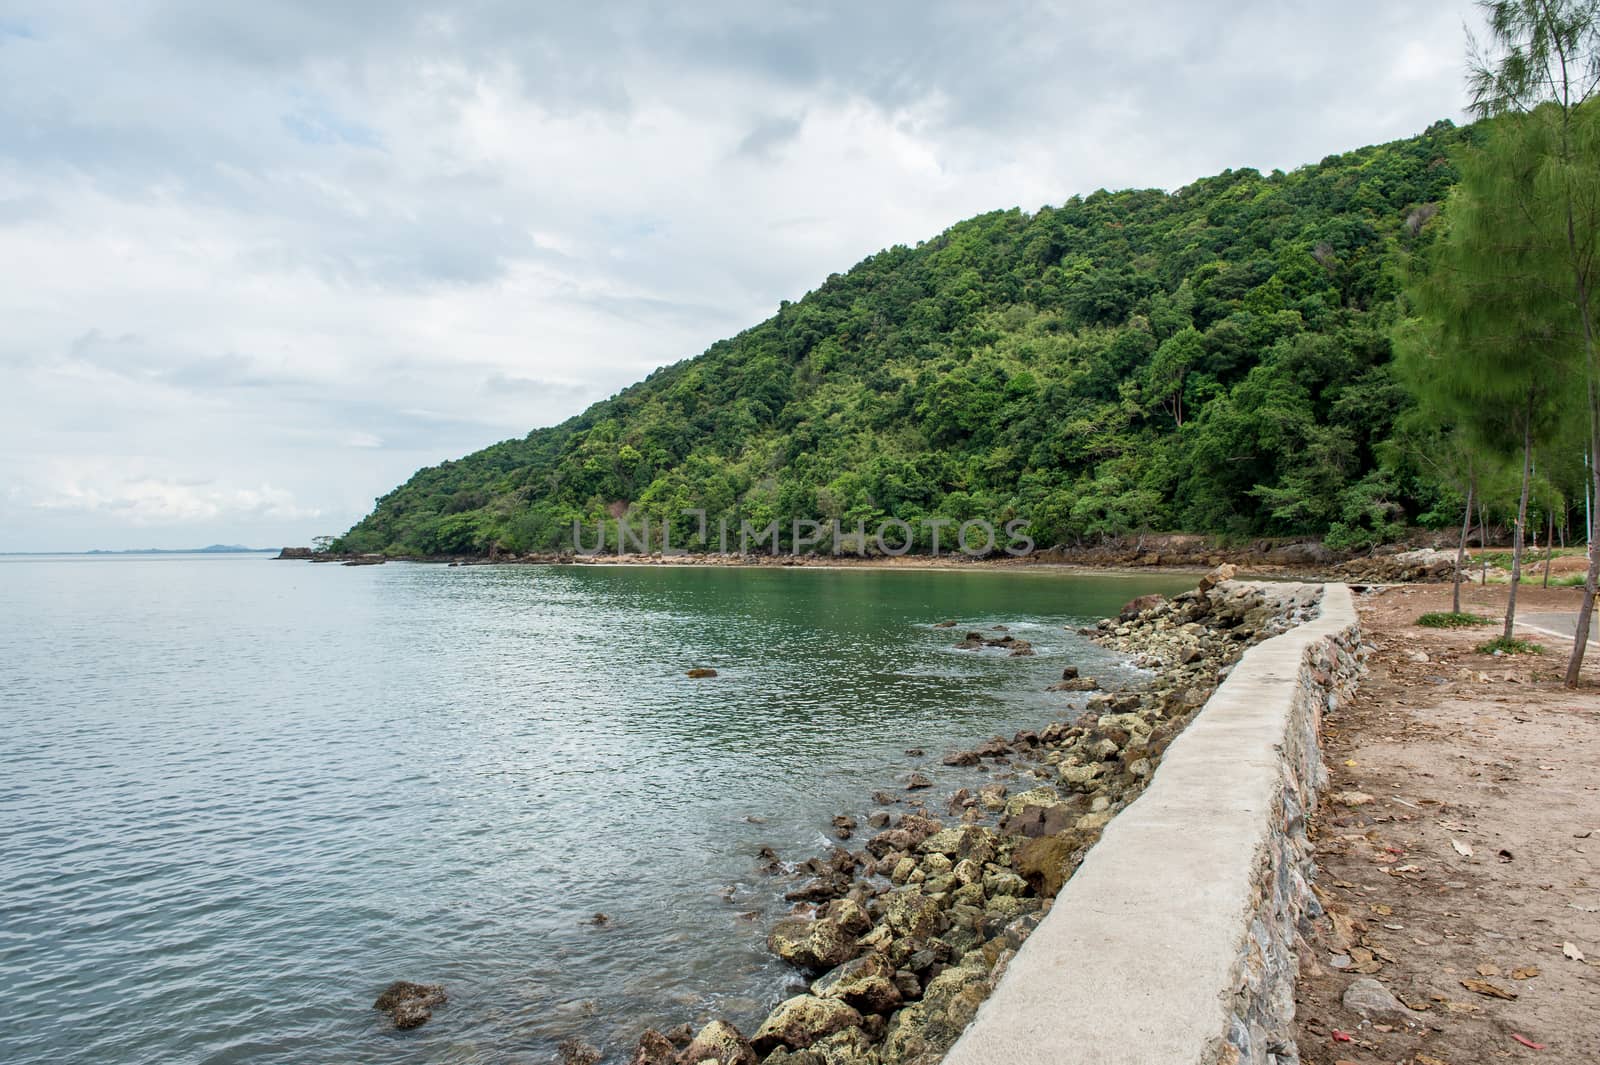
{"x":239,"y":797}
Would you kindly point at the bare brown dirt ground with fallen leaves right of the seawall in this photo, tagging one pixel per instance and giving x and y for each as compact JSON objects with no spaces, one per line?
{"x":1458,"y":847}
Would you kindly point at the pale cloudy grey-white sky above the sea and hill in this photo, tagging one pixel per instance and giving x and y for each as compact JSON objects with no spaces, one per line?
{"x":263,"y":261}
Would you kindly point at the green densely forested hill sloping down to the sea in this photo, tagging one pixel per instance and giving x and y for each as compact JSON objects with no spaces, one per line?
{"x":1214,"y":361}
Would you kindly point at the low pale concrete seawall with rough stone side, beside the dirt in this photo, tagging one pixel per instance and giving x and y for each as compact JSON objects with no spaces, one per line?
{"x":1174,"y":944}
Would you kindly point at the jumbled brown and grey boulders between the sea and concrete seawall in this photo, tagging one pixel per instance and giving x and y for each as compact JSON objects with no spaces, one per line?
{"x":903,"y":939}
